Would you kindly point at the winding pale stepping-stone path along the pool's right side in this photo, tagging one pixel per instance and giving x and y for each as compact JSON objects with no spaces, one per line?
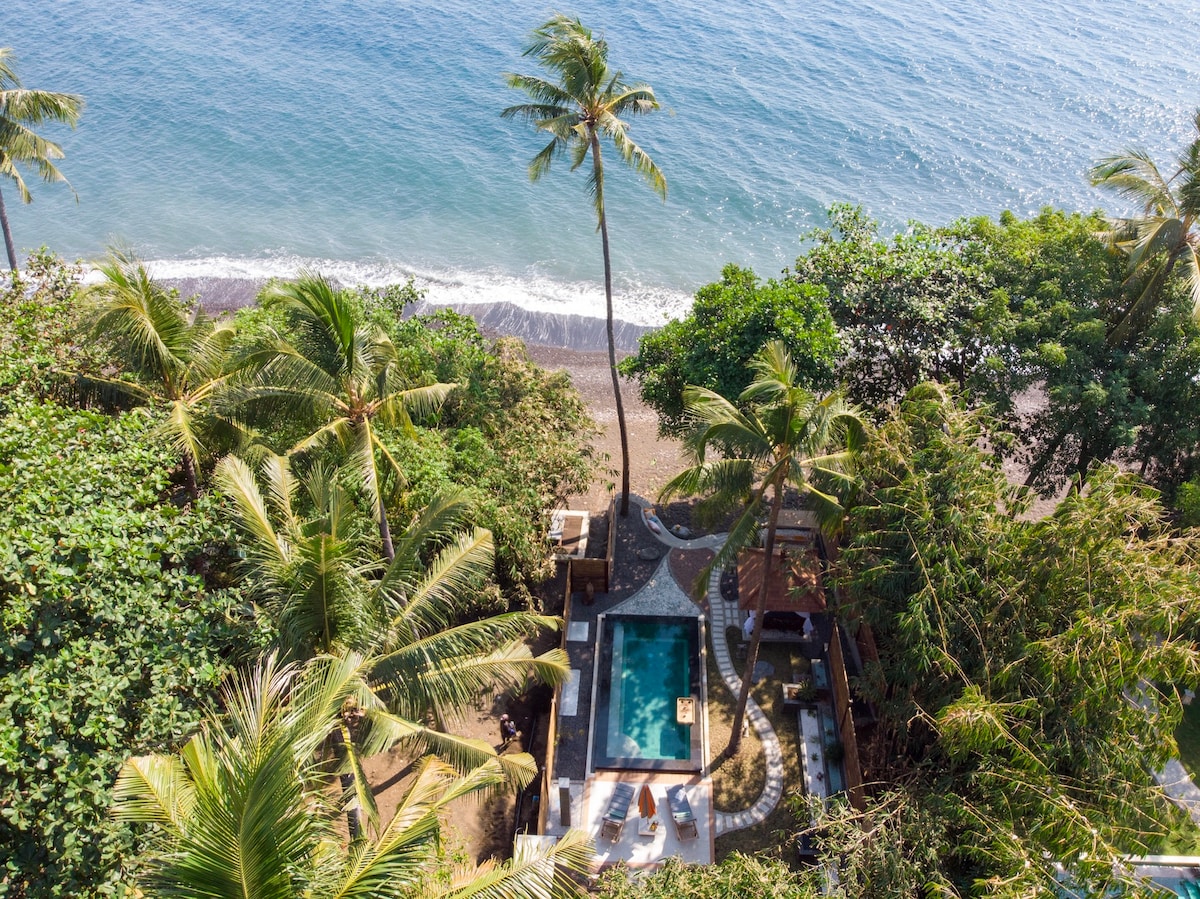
{"x":722,"y":616}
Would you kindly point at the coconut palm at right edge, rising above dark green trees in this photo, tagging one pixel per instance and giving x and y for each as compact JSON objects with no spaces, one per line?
{"x":1166,"y":238}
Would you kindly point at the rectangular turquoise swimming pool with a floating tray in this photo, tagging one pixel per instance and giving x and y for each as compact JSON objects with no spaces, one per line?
{"x":646,"y":664}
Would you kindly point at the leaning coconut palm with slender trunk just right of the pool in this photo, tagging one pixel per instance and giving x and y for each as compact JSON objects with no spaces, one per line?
{"x":787,"y":439}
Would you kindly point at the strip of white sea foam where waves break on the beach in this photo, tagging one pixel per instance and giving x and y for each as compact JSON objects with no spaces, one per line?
{"x":633,"y":303}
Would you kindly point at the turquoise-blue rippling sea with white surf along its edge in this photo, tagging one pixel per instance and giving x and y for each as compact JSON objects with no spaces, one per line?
{"x":247,"y":139}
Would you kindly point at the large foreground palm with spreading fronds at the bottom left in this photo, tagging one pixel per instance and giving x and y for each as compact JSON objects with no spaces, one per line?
{"x":244,"y":810}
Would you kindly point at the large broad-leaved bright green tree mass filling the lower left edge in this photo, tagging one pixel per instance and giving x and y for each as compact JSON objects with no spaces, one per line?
{"x":113,"y":633}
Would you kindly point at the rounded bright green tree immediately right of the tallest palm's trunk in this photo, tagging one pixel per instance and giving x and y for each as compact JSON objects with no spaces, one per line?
{"x":712,"y":346}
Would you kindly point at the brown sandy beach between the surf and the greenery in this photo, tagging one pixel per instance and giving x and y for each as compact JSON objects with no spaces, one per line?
{"x":555,"y":341}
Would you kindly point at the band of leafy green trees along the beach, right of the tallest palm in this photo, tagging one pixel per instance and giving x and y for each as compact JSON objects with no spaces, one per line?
{"x":1016,"y":315}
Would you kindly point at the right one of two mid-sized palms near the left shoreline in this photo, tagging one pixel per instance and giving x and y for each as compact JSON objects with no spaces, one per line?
{"x":343,"y":377}
